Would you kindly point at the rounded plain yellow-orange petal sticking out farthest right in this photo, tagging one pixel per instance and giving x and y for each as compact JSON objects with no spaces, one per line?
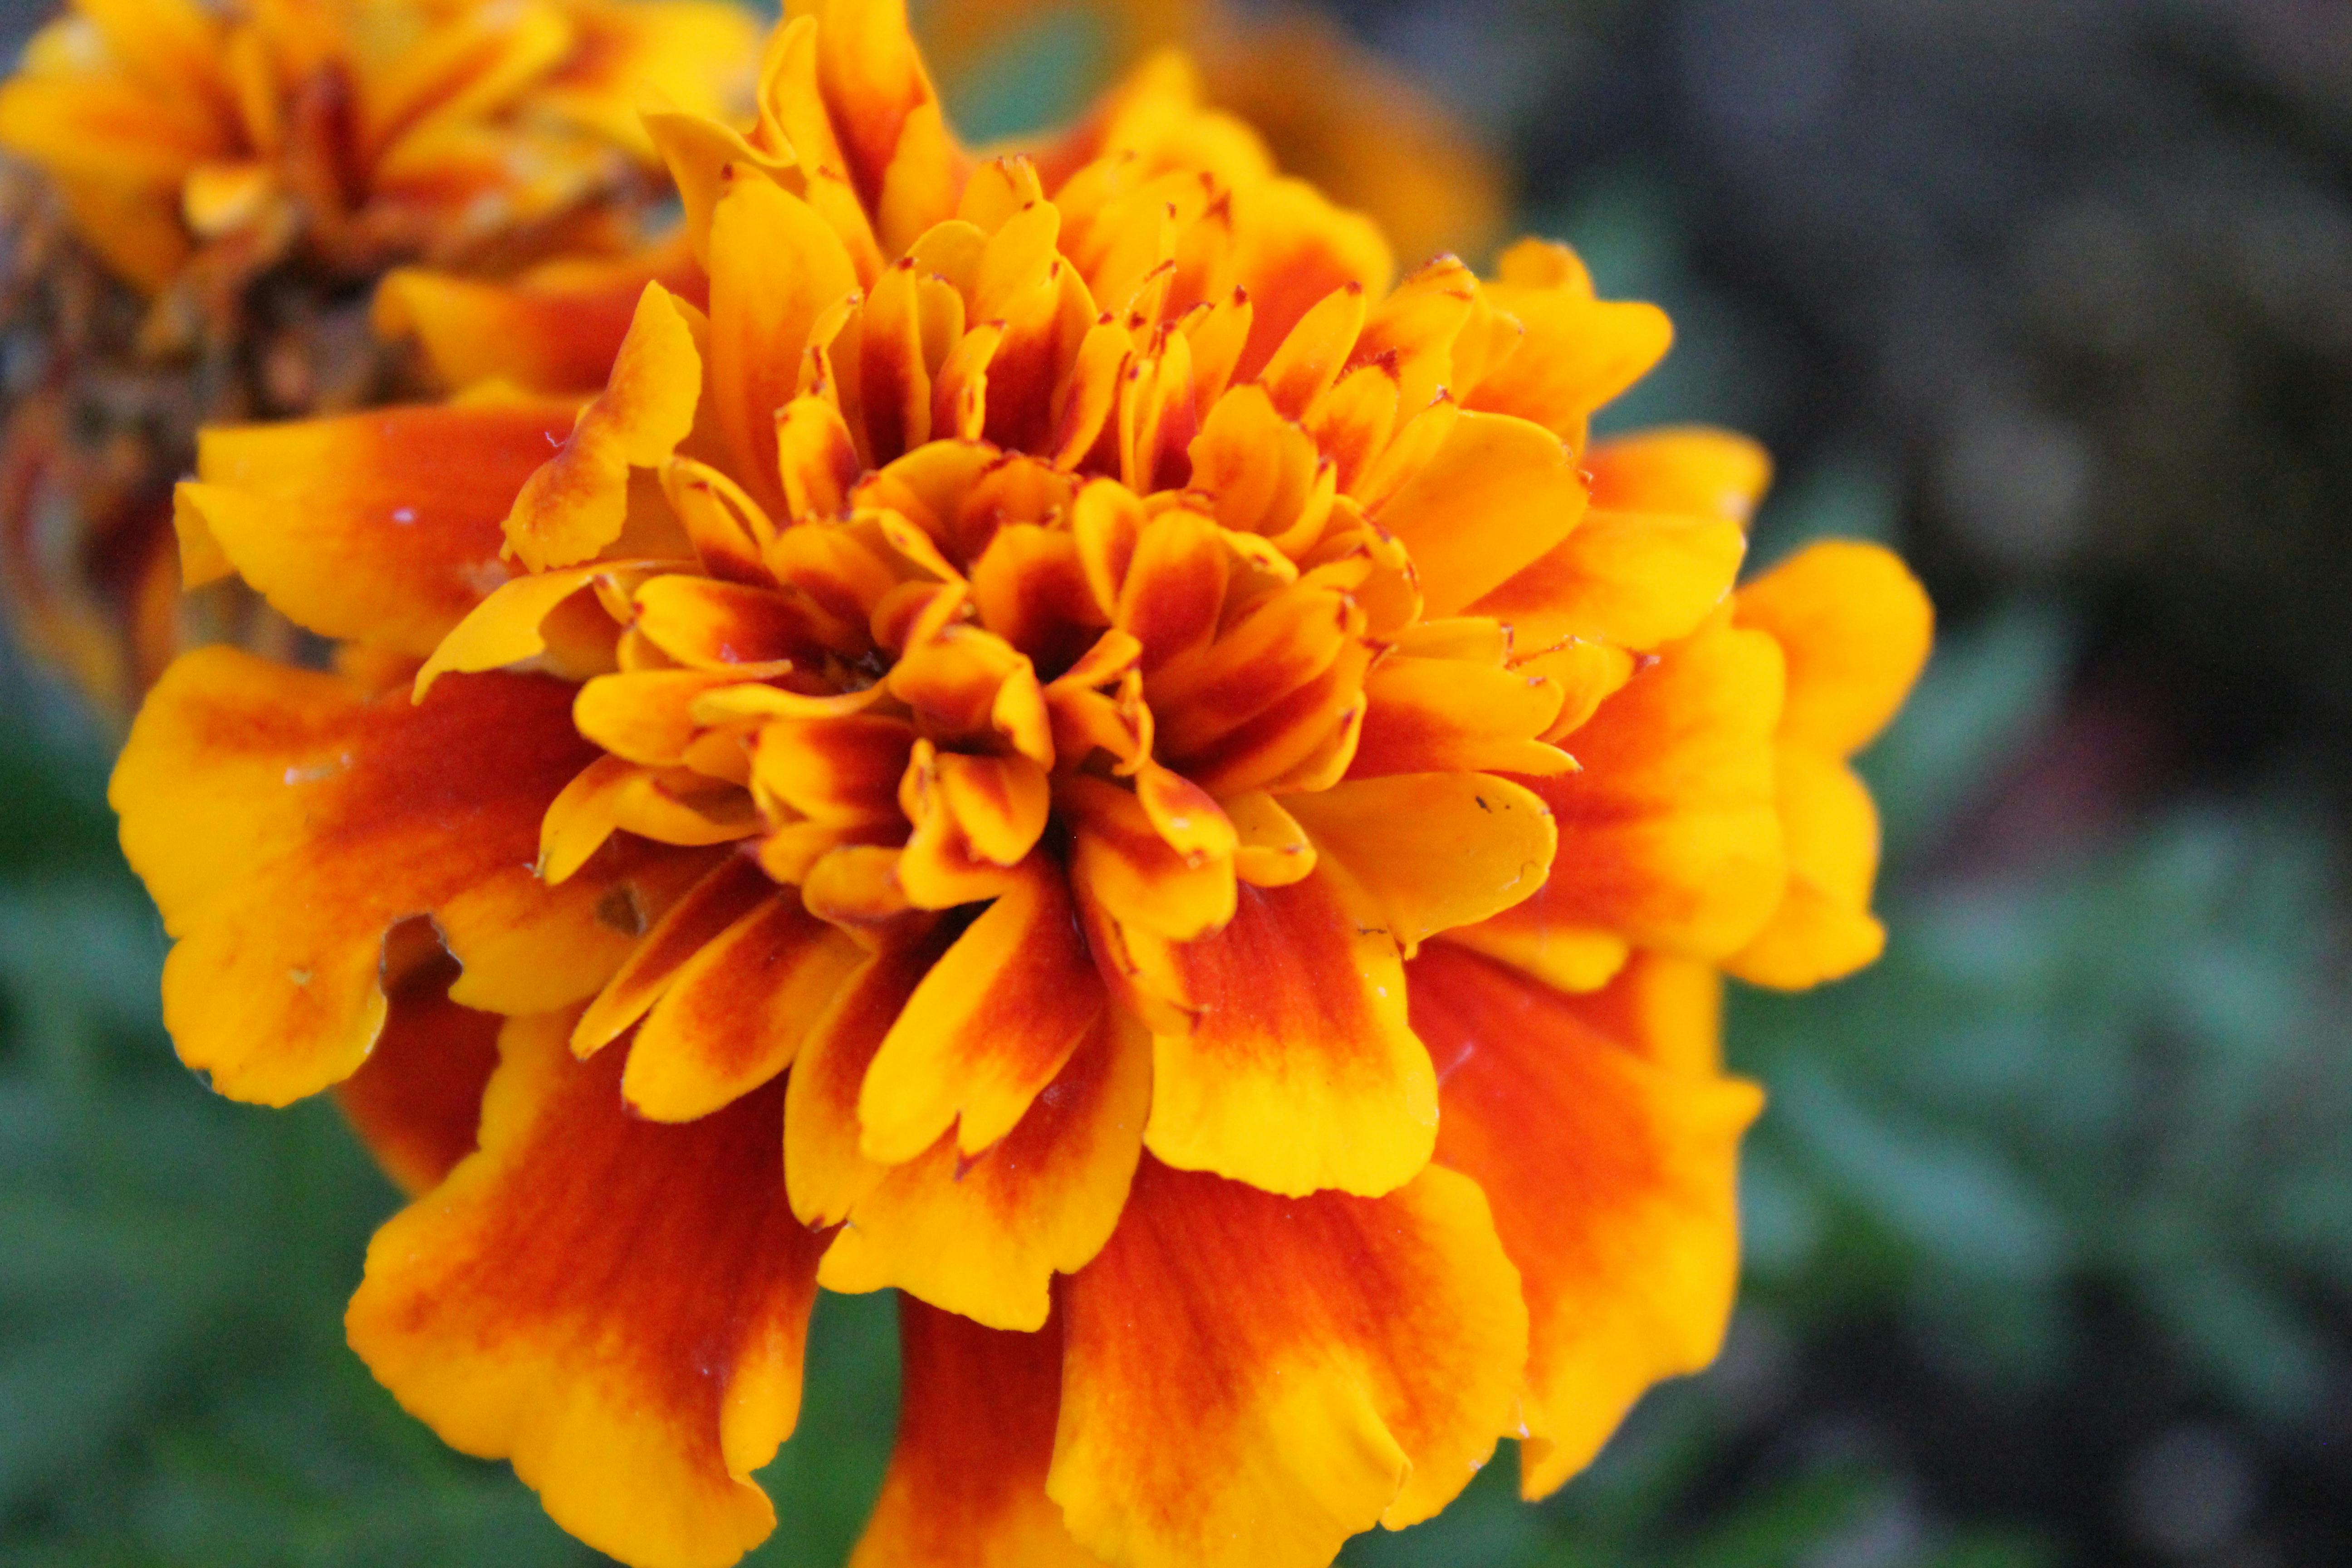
{"x":1855,"y":626}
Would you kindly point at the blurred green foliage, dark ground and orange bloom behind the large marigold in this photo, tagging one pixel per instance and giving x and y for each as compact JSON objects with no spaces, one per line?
{"x":2050,"y":1224}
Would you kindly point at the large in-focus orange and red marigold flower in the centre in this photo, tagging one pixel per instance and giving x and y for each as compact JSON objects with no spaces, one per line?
{"x":1071,"y":749}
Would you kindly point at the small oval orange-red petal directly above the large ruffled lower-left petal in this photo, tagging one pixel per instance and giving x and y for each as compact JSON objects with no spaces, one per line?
{"x":737,"y":1012}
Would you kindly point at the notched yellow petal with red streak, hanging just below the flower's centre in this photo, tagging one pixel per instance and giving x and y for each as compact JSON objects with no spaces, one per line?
{"x":989,"y":1026}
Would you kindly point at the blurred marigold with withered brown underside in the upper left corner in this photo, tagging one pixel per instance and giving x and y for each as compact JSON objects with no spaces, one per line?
{"x":211,"y":192}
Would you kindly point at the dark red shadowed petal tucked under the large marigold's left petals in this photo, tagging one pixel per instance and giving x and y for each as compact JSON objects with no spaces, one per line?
{"x":417,"y":1097}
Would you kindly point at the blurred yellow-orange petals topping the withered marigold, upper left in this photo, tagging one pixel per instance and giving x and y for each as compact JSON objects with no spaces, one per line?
{"x":356,"y":130}
